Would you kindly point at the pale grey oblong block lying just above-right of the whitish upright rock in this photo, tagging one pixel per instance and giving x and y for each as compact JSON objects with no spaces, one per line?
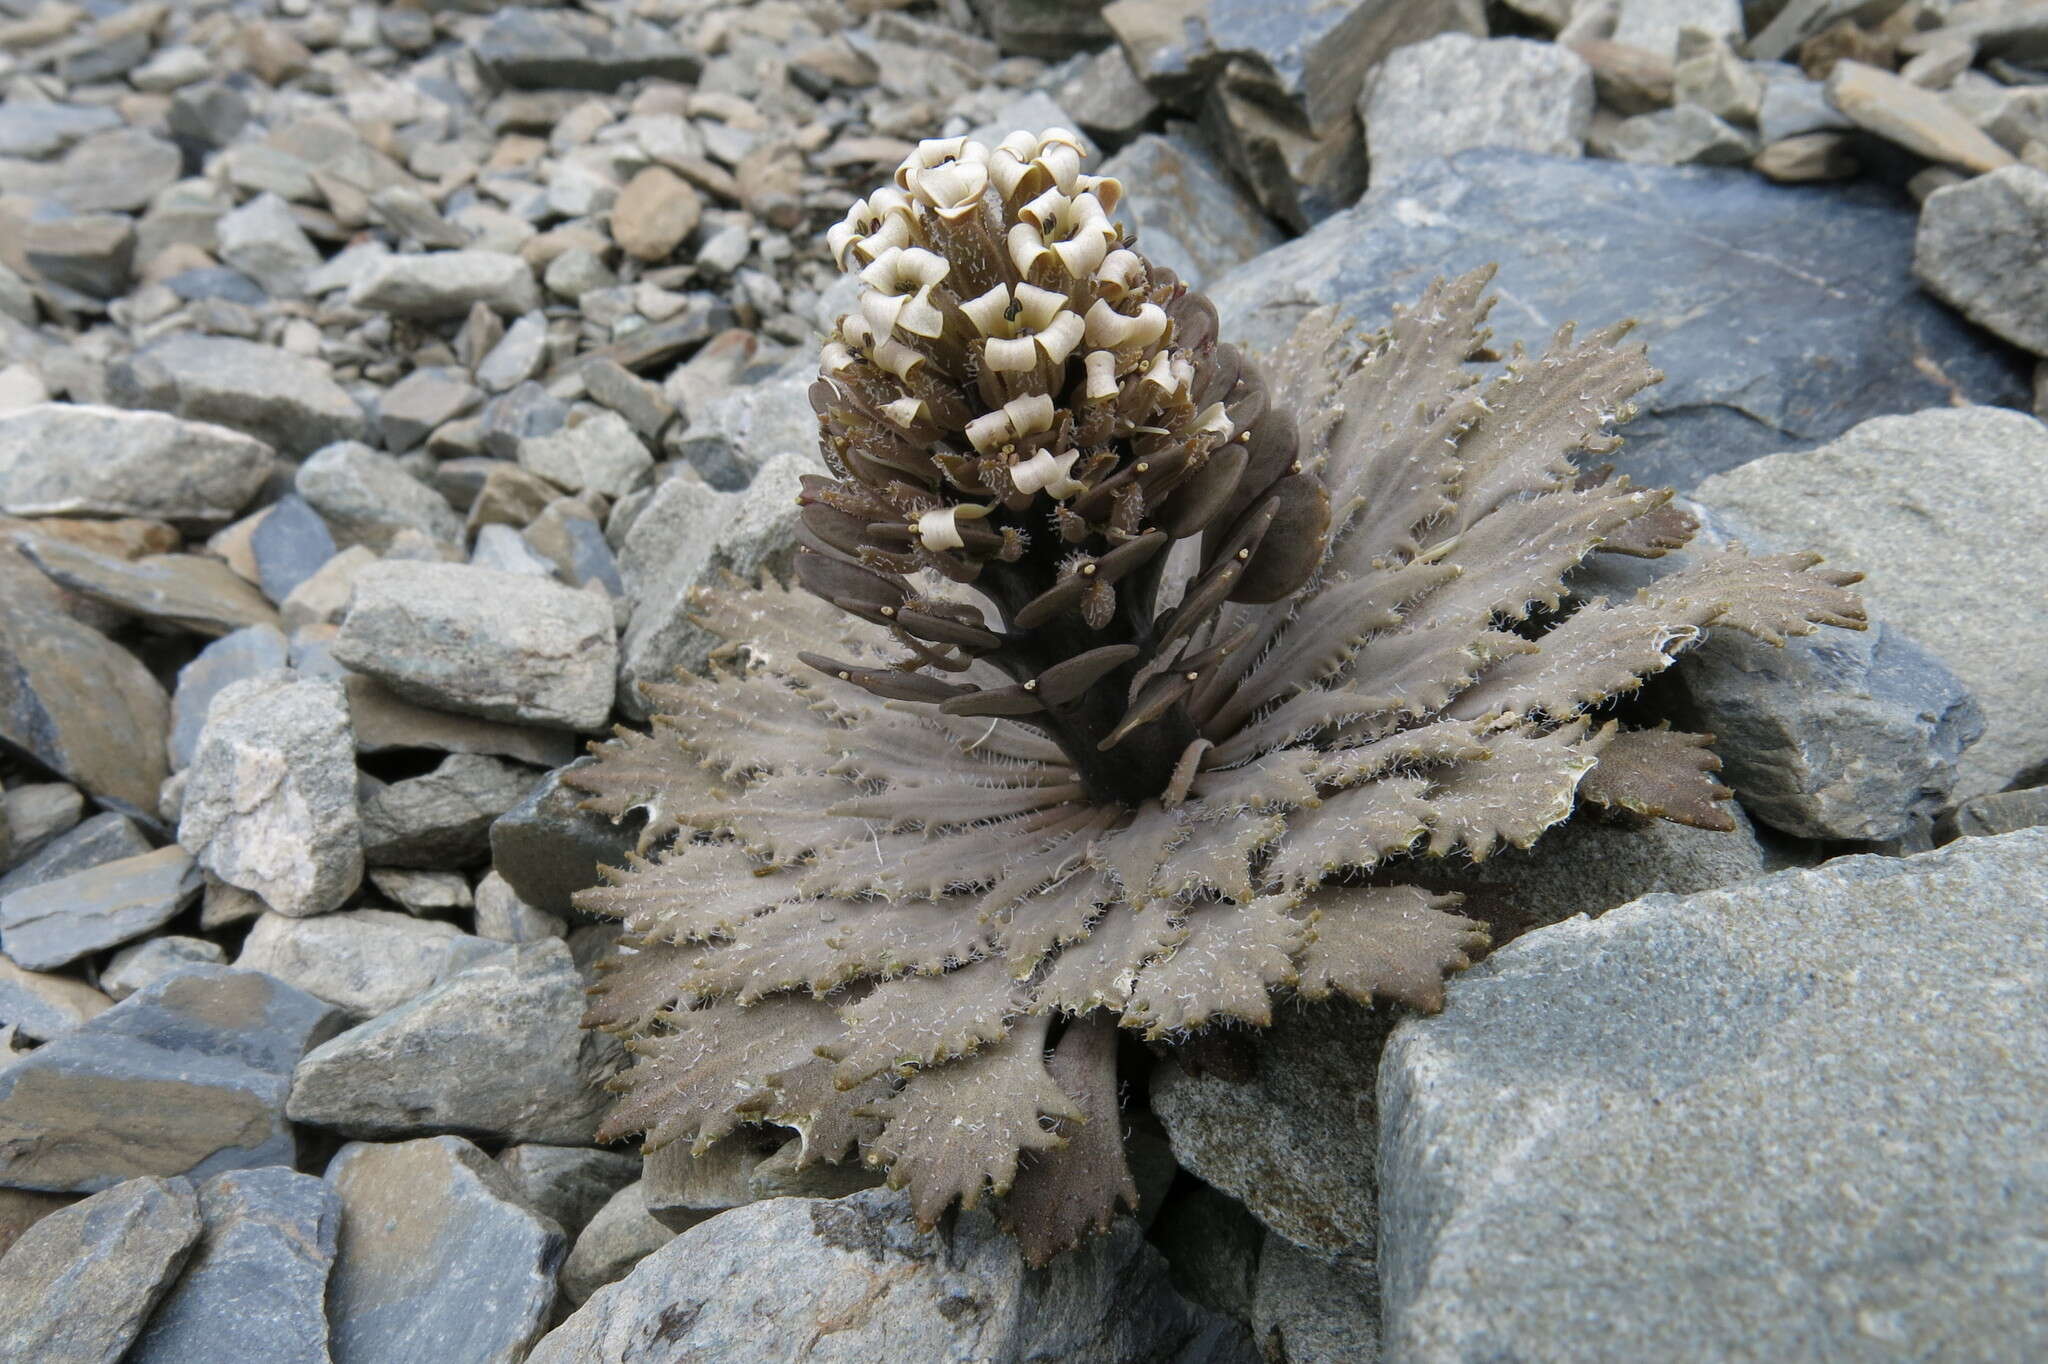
{"x":484,"y":644}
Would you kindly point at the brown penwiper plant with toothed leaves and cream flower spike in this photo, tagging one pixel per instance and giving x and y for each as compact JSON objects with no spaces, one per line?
{"x":1127,"y":679}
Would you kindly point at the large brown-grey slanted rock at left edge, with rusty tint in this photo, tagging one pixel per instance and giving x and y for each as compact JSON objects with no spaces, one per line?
{"x":79,"y":704}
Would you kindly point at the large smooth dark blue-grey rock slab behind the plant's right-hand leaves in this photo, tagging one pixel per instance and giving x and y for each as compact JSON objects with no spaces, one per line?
{"x":1779,"y":314}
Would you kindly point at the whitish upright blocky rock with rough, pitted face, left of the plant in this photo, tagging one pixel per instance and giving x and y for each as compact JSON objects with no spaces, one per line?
{"x":271,"y":796}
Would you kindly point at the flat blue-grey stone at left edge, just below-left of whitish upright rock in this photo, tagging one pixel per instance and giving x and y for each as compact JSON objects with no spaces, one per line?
{"x":87,"y":912}
